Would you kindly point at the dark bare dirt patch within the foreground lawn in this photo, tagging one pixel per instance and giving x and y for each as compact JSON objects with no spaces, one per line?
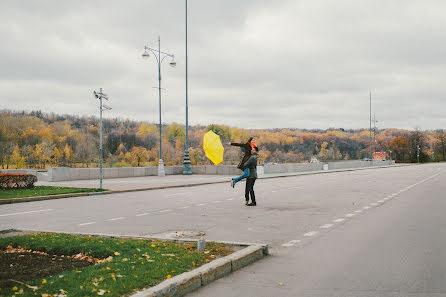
{"x":25,"y":266}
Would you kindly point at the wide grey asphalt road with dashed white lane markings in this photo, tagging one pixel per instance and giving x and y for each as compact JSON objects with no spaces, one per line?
{"x":378,"y":232}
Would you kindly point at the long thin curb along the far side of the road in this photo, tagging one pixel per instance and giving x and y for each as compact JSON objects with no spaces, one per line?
{"x":40,"y":198}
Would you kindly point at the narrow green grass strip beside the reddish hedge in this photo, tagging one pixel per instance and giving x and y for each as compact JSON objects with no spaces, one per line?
{"x":43,"y":191}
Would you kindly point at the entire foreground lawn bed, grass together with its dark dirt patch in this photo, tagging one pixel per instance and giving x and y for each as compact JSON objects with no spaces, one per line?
{"x":122,"y":265}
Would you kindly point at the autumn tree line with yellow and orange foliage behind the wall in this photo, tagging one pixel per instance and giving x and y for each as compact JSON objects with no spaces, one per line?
{"x":40,"y":140}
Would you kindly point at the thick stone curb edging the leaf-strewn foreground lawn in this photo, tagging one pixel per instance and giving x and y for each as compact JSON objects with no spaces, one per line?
{"x":187,"y":282}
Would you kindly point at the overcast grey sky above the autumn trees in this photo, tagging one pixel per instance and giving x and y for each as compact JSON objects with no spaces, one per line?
{"x":252,"y":63}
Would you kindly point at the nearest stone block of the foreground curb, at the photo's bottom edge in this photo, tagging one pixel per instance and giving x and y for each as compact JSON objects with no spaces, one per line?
{"x":179,"y":285}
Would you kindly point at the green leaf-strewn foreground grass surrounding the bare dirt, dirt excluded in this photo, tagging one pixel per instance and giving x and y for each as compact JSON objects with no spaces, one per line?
{"x":136,"y":264}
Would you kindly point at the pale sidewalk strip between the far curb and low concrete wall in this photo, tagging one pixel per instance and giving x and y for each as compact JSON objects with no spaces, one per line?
{"x":153,"y":182}
